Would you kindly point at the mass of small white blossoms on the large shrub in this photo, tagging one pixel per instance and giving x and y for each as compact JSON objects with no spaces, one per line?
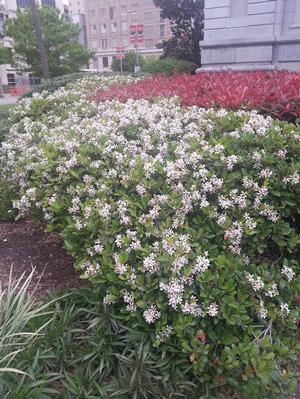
{"x":132,"y":177}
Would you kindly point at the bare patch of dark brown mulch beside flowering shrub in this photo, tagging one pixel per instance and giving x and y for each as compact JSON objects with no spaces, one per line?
{"x":24,"y":246}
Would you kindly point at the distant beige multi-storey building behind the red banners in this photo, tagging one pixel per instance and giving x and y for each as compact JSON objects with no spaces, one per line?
{"x":108,"y":22}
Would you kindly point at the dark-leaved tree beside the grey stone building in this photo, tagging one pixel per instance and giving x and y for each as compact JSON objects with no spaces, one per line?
{"x":186,"y":18}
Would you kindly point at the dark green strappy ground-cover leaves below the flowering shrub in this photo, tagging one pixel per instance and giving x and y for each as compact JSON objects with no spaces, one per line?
{"x":86,"y":350}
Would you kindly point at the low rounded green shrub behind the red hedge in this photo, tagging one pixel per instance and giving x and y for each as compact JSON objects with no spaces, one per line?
{"x":168,"y":66}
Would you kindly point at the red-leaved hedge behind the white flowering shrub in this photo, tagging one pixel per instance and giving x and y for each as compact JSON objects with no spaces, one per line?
{"x":276,"y":93}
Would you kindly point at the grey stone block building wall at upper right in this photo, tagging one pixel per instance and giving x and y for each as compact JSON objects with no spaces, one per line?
{"x":251,"y":34}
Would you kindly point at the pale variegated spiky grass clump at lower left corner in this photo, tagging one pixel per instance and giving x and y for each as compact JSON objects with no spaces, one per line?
{"x":18,"y":313}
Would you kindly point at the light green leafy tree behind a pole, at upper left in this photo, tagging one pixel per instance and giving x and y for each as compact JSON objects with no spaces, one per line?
{"x":64,"y":53}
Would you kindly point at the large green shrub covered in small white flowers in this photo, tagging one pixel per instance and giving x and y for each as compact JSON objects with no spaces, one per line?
{"x":184,"y":216}
